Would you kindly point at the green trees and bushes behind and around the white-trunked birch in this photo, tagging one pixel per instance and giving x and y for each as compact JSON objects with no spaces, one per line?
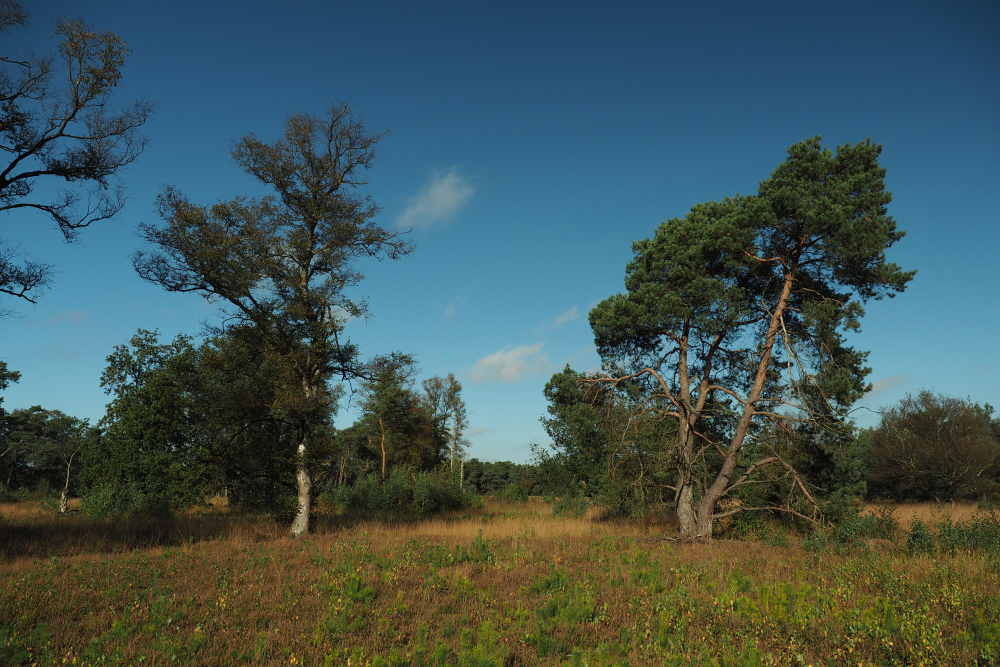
{"x":188,"y":421}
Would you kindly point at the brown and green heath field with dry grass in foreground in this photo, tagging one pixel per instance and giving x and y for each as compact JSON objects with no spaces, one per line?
{"x":508,"y":585}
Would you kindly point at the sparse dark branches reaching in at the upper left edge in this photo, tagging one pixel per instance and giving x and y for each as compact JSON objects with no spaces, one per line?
{"x":56,"y":122}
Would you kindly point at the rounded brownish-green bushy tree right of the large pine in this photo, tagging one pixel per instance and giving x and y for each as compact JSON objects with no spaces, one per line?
{"x":933,"y":447}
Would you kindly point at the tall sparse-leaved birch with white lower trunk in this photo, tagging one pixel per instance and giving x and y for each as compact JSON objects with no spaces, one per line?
{"x":282,"y":263}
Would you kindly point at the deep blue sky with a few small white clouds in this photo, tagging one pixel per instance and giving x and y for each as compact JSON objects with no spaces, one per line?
{"x":531,"y":144}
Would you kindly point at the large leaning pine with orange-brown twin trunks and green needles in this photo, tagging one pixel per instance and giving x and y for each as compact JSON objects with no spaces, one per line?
{"x":736,"y":313}
